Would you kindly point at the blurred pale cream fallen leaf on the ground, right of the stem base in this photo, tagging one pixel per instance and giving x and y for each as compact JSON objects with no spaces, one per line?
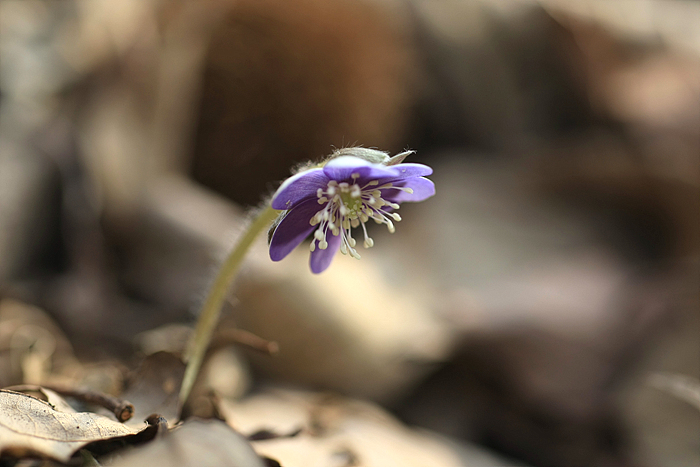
{"x":335,"y":431}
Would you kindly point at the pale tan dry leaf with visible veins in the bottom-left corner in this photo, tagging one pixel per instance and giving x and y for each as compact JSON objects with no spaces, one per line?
{"x":30,"y":426}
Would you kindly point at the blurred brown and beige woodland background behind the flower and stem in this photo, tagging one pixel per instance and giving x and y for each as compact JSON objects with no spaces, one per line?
{"x":538,"y":309}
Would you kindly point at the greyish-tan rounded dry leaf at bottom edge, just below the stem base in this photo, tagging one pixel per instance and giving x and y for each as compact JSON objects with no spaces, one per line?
{"x":202,"y":443}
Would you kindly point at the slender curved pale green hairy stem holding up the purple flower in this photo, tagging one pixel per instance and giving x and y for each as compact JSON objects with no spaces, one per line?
{"x":209,"y":316}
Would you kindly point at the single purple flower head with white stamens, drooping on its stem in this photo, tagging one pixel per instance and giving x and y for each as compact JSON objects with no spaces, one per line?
{"x":342,"y":195}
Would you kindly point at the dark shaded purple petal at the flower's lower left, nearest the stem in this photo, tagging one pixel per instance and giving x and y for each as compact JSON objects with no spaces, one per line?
{"x":293,"y":229}
